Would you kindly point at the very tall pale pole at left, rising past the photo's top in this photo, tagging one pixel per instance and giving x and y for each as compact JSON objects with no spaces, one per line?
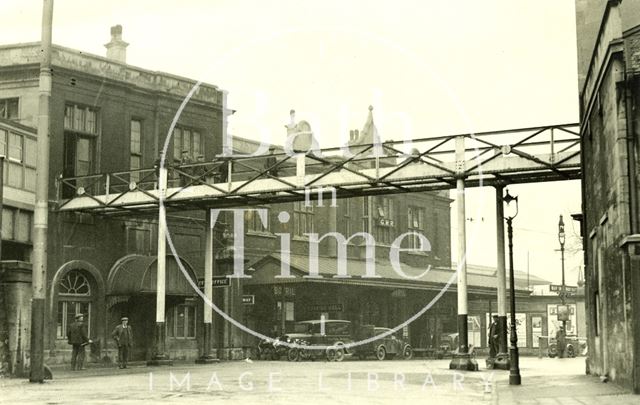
{"x":41,"y":211}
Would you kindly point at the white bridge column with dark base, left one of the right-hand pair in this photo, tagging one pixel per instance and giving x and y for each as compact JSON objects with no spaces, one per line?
{"x":462,"y":360}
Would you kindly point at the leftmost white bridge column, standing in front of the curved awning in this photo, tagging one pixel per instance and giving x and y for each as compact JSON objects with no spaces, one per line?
{"x":160,"y":357}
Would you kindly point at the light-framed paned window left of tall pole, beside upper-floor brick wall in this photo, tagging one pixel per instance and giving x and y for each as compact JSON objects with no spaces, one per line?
{"x":20,"y":164}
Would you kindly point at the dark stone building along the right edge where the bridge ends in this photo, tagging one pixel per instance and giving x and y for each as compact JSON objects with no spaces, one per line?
{"x":608,"y":35}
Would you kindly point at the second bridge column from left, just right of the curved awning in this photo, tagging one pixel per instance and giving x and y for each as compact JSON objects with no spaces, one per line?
{"x":206,"y":356}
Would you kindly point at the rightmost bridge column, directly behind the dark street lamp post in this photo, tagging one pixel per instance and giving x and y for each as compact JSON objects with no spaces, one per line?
{"x":502,"y":359}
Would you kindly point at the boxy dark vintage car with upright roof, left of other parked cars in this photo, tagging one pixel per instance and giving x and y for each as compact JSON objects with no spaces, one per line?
{"x":316,"y":338}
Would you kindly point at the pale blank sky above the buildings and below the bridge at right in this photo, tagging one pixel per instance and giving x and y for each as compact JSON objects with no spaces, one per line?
{"x":428,"y":68}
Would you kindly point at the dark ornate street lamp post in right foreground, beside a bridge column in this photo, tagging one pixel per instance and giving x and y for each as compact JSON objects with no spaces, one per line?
{"x":512,"y":211}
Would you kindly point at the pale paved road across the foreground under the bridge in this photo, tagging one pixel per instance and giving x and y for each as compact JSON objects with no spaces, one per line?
{"x":545,"y":381}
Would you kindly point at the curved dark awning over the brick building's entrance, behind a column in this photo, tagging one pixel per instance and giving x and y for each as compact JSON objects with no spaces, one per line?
{"x":136,"y":274}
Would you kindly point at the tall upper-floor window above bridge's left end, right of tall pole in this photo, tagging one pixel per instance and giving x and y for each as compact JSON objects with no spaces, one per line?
{"x":81,"y":131}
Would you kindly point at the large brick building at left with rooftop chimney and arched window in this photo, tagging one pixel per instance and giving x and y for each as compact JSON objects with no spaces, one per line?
{"x":106,"y":116}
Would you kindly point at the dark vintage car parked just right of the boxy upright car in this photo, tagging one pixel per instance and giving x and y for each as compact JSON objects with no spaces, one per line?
{"x":386,"y":347}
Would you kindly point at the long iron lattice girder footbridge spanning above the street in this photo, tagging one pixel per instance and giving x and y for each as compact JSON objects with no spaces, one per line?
{"x":494,"y":158}
